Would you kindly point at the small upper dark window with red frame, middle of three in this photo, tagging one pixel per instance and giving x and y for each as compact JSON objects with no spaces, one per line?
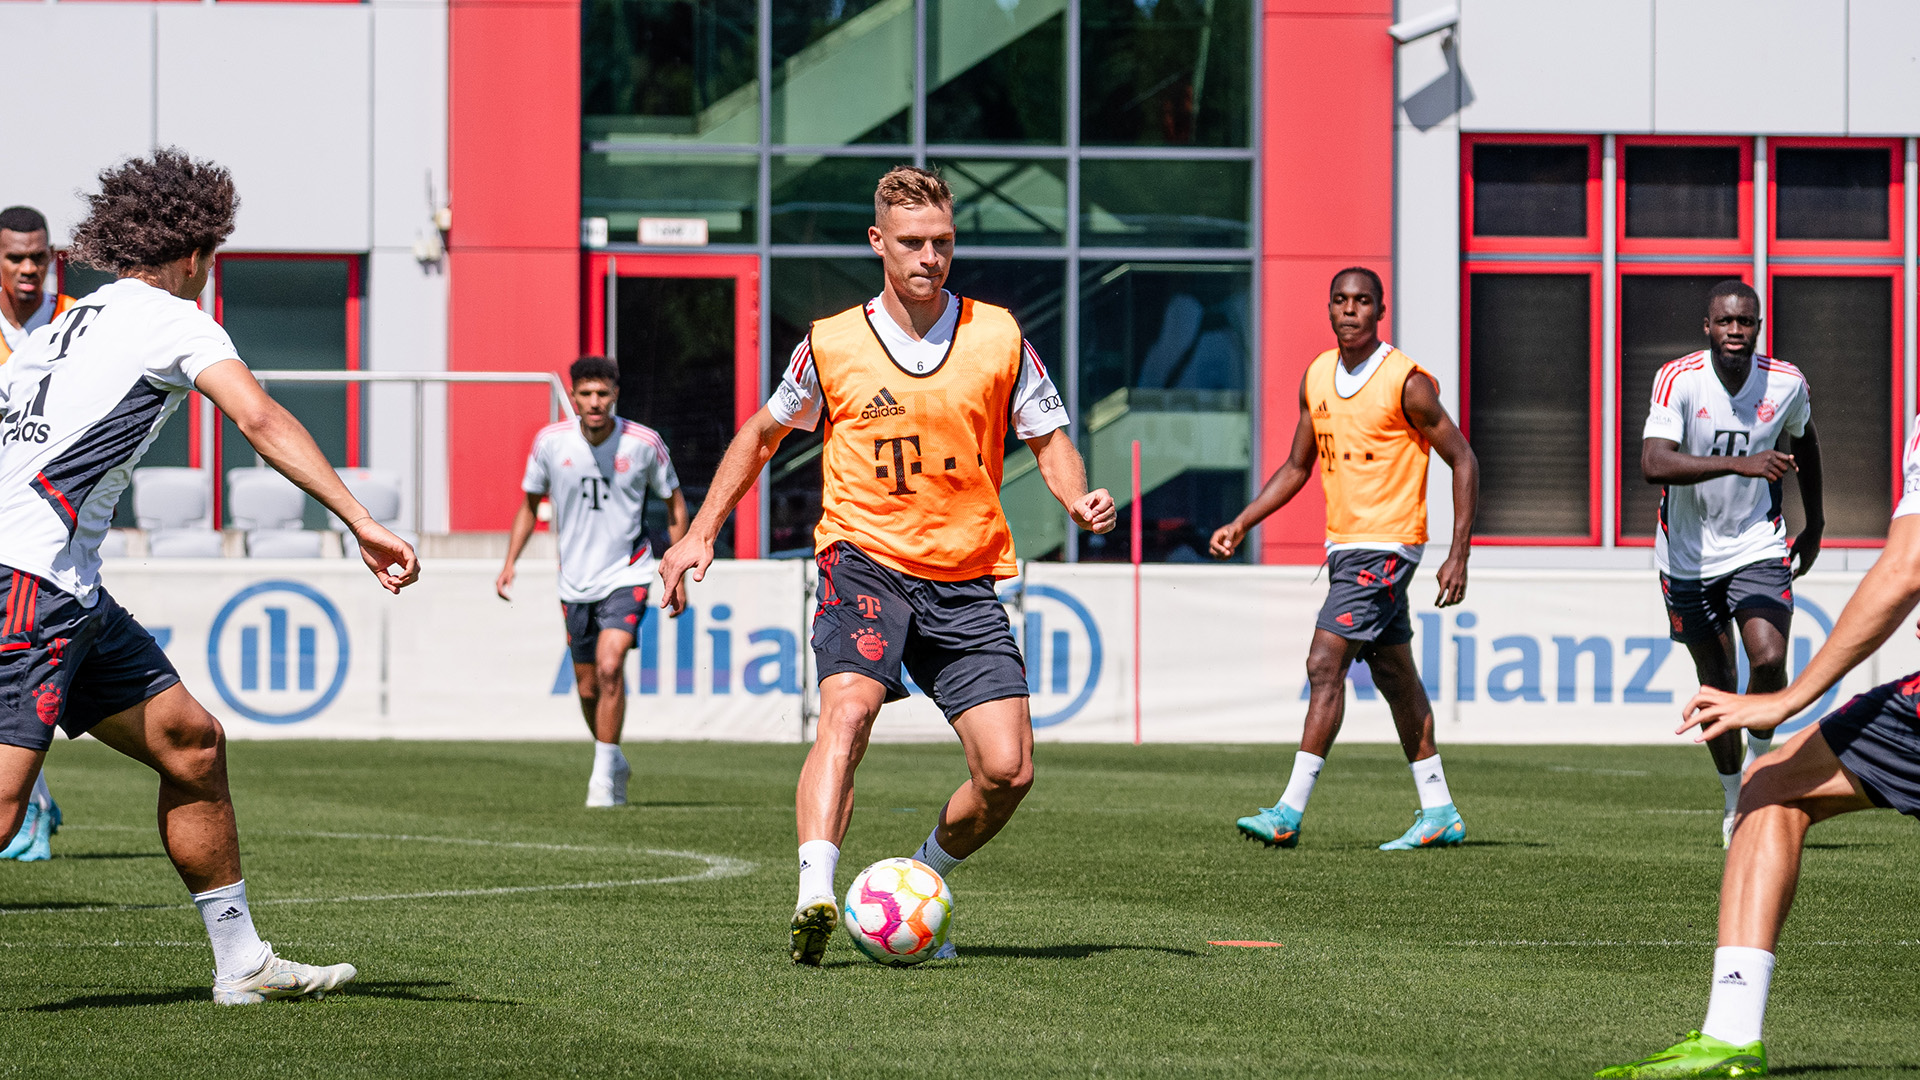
{"x":1683,"y":191}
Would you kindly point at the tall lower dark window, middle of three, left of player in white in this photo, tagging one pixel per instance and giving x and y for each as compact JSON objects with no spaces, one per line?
{"x":1662,"y":318}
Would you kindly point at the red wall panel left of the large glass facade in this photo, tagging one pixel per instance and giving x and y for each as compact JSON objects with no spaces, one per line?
{"x":514,"y":253}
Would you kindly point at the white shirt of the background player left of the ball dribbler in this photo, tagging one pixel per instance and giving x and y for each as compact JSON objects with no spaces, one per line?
{"x":600,"y":499}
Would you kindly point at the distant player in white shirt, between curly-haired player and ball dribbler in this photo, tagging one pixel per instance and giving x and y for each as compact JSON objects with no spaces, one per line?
{"x":598,"y":474}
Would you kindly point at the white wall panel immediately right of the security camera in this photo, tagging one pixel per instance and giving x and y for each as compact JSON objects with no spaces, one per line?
{"x":1558,"y":64}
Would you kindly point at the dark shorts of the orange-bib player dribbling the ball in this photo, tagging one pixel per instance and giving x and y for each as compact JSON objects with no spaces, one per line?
{"x":953,"y":637}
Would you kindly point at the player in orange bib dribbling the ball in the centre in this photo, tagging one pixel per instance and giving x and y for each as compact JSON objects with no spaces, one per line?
{"x":919,"y":391}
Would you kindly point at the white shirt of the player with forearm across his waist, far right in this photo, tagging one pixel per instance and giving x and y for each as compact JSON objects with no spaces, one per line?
{"x":1719,"y":526}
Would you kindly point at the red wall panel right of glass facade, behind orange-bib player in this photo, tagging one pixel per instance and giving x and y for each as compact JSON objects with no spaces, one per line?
{"x":1328,"y":203}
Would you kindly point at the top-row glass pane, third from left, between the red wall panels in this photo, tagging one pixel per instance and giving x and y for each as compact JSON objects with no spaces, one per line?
{"x":996,"y":72}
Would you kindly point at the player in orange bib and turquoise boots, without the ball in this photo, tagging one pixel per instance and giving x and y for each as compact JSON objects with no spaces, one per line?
{"x":1372,"y":416}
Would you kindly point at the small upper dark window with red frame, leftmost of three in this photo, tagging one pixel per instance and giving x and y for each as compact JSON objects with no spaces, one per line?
{"x":1529,"y":189}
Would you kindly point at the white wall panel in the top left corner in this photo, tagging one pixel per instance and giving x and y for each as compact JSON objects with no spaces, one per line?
{"x":87,"y":74}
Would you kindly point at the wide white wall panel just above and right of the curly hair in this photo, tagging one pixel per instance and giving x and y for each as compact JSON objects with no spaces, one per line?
{"x":277,"y":93}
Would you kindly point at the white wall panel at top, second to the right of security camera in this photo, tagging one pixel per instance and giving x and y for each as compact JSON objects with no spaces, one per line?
{"x":1758,"y":68}
